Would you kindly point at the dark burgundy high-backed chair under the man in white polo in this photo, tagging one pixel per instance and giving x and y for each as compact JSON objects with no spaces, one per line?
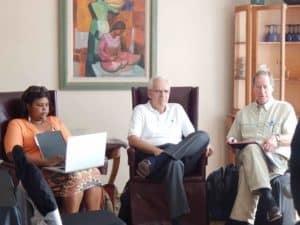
{"x":148,"y":205}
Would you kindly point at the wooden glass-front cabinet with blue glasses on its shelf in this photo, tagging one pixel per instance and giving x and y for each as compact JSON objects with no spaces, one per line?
{"x":266,"y":34}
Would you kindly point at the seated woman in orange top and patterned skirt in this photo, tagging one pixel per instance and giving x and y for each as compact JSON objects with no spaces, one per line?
{"x":73,"y":188}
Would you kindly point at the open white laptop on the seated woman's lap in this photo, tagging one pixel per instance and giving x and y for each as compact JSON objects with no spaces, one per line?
{"x":82,"y":152}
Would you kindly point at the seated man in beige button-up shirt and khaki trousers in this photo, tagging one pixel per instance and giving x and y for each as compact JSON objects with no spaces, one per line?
{"x":271,"y":123}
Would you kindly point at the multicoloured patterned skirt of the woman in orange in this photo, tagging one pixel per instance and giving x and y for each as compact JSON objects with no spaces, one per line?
{"x":64,"y":185}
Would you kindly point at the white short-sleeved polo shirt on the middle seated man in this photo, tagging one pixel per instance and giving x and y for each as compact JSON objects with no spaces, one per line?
{"x":160,"y":128}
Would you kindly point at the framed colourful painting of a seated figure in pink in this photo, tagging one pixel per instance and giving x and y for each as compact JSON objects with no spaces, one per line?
{"x":107,"y":44}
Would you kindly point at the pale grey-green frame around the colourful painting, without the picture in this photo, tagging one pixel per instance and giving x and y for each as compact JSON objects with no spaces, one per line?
{"x":69,"y":81}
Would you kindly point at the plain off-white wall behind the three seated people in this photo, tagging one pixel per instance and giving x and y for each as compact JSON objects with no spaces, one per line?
{"x":194,"y":48}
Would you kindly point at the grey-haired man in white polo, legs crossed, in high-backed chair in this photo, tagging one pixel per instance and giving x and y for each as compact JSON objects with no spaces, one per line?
{"x":156,"y":130}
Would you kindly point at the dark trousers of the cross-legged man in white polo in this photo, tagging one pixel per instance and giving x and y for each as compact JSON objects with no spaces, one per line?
{"x":184,"y":158}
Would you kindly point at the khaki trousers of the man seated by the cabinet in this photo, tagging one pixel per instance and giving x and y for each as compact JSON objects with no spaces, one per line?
{"x":253,"y":175}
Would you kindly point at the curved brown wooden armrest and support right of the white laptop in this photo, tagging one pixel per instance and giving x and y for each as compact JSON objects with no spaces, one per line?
{"x":113,"y":147}
